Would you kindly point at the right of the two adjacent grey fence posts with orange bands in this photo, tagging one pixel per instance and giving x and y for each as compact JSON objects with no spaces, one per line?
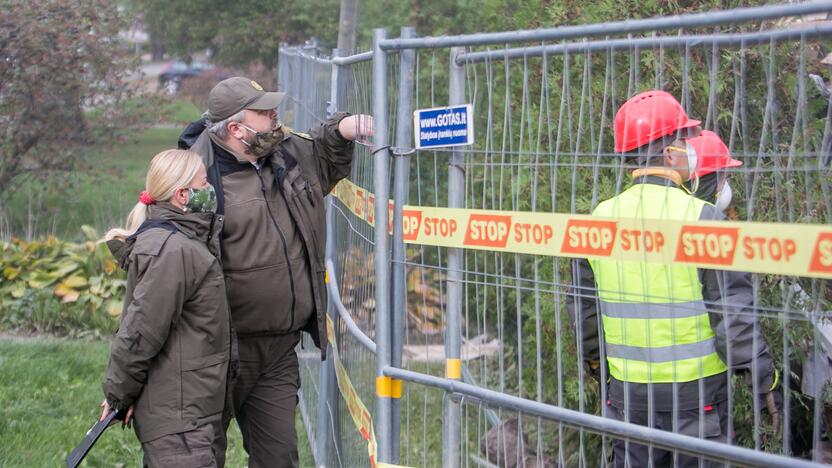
{"x":401,"y":187}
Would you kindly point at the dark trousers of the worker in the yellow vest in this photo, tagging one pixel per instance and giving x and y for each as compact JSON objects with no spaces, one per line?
{"x":632,"y":455}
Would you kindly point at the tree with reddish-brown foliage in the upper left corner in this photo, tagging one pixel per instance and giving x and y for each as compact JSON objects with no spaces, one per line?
{"x":62,"y":82}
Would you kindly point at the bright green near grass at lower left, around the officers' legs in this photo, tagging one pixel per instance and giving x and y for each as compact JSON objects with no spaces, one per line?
{"x":49,"y":396}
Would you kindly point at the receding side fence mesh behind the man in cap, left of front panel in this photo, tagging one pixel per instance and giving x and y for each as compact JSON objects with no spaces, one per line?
{"x":307,"y":78}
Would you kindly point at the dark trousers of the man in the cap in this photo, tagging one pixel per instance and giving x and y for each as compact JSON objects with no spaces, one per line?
{"x":265,"y":395}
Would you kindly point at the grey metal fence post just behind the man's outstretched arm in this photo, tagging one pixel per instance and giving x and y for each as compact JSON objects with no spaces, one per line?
{"x":328,"y":398}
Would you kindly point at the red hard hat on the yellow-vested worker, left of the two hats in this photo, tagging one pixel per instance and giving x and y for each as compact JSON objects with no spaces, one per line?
{"x":646,"y":117}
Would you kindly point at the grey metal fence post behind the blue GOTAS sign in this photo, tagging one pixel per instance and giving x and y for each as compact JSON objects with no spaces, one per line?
{"x":453,"y":330}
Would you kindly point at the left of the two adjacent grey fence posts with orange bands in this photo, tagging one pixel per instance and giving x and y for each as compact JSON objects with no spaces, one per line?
{"x":381,"y":171}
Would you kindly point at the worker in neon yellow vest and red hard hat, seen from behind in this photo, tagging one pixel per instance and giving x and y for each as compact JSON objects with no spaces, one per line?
{"x":661,"y":337}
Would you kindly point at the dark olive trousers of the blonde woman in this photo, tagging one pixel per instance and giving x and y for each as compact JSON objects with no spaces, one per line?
{"x":190,"y":449}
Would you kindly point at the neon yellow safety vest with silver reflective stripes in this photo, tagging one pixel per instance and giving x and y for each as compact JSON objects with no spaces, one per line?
{"x":656,"y":325}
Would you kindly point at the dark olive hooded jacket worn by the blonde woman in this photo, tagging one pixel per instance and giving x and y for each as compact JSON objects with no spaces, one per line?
{"x":170,"y":355}
